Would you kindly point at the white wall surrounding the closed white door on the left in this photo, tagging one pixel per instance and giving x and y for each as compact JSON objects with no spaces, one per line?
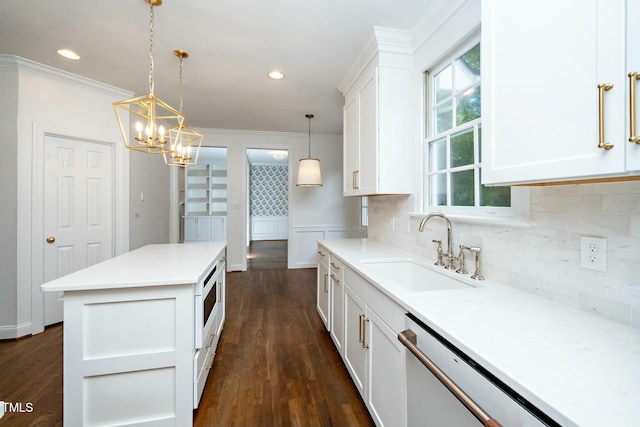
{"x":41,"y":100}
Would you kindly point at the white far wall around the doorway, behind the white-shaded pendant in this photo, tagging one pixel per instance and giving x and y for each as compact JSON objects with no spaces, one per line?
{"x":322,"y":207}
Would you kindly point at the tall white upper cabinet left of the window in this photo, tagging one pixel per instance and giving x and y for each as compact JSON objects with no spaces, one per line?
{"x":377,"y":118}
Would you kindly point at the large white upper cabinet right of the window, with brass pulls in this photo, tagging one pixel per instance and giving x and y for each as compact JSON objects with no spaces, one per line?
{"x":556,"y":101}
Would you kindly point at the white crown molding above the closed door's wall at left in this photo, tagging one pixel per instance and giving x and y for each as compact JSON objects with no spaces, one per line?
{"x":23,"y":64}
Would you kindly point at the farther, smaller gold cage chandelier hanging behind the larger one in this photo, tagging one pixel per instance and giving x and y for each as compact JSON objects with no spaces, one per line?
{"x":185,"y":142}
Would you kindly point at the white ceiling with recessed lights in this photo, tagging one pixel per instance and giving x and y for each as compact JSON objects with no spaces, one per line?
{"x":232,"y":45}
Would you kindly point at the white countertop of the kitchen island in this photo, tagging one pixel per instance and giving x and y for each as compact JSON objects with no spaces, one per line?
{"x":151,"y":265}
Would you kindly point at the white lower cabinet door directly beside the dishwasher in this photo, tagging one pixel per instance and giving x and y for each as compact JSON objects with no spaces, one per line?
{"x":386,"y":397}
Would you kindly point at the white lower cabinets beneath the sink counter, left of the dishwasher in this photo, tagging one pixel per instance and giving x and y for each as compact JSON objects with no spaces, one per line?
{"x":364,"y":326}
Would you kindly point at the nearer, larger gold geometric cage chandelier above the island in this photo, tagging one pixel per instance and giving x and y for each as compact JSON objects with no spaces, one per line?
{"x":153,"y":117}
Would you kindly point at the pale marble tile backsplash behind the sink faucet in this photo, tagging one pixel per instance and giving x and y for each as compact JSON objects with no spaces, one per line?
{"x":543,"y":259}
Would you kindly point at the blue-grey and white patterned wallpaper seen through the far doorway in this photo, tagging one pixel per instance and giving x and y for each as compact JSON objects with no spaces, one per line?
{"x":268,"y":192}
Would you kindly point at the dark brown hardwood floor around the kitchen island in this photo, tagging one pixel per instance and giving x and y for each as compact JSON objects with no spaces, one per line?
{"x":275,"y":364}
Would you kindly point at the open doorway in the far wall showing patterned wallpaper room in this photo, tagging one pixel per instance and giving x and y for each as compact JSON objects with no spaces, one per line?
{"x":268,"y":208}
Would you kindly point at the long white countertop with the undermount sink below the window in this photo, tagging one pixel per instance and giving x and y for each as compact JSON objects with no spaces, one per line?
{"x":579,"y":368}
